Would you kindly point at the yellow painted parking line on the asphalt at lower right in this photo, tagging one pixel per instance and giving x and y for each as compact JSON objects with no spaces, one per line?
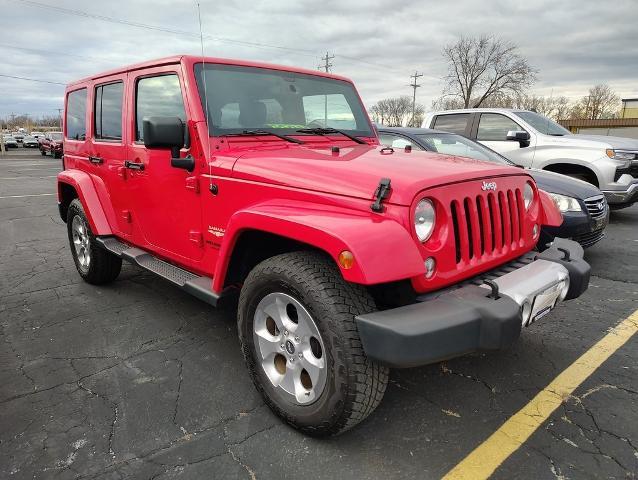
{"x":487,"y":457}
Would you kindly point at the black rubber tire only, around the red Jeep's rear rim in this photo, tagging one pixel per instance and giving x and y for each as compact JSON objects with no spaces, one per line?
{"x":104,"y":267}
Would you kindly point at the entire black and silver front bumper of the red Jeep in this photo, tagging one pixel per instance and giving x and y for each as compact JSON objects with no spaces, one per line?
{"x":472,"y":318}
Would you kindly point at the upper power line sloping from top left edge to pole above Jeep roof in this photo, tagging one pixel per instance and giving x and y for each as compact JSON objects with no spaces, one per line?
{"x":81,"y":13}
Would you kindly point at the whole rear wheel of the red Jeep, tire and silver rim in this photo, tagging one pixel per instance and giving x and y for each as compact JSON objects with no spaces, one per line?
{"x":94,"y":264}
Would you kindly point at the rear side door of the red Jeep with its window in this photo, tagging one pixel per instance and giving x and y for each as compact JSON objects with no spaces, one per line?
{"x":108,"y":148}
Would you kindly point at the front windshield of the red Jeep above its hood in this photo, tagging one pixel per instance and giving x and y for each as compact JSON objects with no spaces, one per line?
{"x":250,"y":98}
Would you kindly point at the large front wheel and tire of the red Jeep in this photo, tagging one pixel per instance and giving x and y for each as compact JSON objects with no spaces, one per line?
{"x":300,"y":342}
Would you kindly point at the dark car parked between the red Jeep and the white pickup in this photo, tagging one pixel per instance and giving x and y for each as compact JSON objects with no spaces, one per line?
{"x":584,"y":209}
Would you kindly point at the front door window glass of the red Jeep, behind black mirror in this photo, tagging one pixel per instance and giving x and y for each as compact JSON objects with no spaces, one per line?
{"x":159,"y":96}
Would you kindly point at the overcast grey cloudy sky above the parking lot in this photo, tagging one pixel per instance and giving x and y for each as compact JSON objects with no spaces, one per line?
{"x":573,"y":43}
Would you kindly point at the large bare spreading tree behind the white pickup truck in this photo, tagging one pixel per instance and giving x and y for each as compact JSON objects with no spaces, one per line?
{"x":480,"y":67}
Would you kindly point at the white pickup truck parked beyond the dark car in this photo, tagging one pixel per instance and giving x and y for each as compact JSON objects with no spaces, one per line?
{"x":532,"y":140}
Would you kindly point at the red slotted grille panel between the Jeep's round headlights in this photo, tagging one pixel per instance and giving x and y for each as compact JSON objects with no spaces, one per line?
{"x":486,"y":223}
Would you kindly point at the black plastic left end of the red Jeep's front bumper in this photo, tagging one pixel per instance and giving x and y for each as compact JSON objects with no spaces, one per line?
{"x":460,"y":322}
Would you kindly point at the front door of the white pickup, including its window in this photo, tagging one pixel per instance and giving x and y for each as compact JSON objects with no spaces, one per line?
{"x":492,"y":132}
